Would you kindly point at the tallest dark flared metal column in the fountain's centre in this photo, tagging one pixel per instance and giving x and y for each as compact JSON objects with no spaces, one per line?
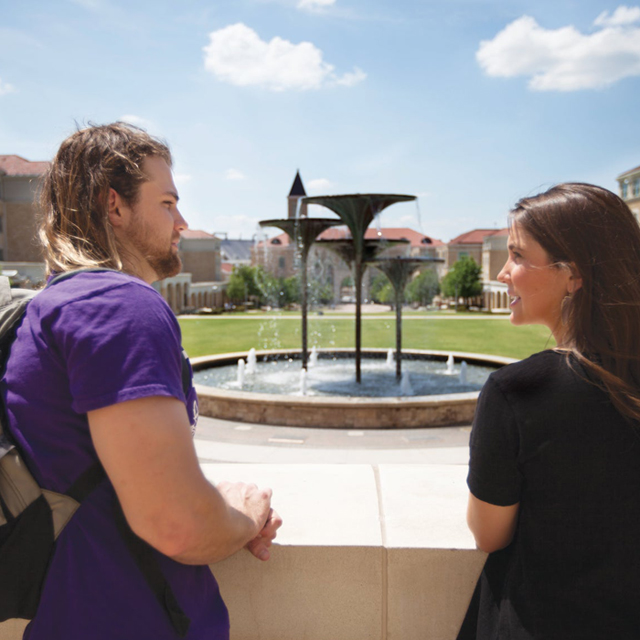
{"x":357,"y":212}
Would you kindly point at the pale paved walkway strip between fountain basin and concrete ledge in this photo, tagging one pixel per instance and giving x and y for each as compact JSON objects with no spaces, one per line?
{"x":224,"y":441}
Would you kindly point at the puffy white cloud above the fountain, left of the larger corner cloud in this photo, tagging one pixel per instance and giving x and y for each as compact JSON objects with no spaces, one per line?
{"x":236,"y":54}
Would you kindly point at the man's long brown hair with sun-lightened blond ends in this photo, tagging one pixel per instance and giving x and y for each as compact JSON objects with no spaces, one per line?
{"x":74,"y":226}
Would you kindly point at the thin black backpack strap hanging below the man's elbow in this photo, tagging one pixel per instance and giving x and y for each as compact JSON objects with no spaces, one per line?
{"x":147,"y":562}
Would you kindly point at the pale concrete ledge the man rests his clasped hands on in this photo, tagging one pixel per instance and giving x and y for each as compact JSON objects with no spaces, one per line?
{"x":365,"y":553}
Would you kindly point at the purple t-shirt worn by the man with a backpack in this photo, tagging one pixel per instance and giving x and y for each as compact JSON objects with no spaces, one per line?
{"x":88,"y":342}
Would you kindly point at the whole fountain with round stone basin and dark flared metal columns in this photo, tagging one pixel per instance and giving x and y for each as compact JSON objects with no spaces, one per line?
{"x":323,"y":393}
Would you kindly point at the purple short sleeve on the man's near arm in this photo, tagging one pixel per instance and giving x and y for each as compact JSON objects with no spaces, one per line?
{"x":120,"y":345}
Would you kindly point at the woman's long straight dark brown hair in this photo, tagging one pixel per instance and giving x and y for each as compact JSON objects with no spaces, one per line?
{"x":592,"y":231}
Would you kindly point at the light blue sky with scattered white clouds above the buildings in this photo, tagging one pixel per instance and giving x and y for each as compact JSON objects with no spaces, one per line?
{"x":467,"y":104}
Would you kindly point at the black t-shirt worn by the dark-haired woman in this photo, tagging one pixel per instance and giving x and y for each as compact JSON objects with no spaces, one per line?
{"x":547,"y":438}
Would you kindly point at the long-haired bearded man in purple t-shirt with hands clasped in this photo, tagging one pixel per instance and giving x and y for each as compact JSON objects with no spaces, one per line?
{"x":96,"y":375}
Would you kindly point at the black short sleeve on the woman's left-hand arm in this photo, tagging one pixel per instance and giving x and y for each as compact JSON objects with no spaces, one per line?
{"x":494,"y":476}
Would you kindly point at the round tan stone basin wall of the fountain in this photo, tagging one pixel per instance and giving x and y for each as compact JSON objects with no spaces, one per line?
{"x":341,"y":412}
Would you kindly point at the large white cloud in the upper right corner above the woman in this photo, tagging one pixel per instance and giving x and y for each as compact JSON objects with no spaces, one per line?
{"x":564,"y":59}
